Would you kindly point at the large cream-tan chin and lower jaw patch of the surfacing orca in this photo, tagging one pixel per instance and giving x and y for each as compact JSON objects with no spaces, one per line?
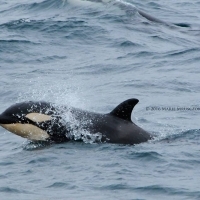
{"x":28,"y":131}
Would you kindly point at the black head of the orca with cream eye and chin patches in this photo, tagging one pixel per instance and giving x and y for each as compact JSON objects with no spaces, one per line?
{"x":34,"y":121}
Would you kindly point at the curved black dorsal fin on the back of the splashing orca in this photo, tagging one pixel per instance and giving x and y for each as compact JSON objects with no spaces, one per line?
{"x":124,"y":109}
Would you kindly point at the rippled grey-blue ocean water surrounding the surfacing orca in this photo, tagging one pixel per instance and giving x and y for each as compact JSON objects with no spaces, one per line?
{"x":93,"y":56}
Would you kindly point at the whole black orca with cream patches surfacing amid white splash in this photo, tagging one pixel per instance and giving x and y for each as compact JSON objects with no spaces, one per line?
{"x":42,"y":121}
